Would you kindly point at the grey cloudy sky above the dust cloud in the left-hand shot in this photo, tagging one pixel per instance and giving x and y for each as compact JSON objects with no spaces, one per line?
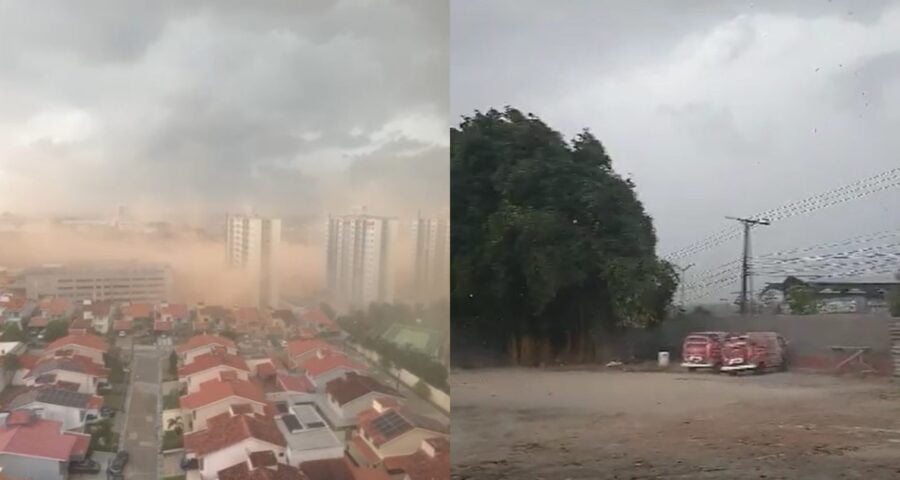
{"x":287,"y":107}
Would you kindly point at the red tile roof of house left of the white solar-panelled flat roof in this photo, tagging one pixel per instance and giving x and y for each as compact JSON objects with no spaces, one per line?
{"x":230,"y":430}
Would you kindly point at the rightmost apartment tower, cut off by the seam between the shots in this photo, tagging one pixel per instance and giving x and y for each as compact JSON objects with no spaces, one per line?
{"x":431,"y":243}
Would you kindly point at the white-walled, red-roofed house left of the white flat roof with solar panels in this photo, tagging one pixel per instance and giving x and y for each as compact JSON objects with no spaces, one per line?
{"x":232,"y":438}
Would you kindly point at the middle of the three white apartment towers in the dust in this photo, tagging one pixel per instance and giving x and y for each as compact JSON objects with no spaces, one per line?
{"x":359,"y":259}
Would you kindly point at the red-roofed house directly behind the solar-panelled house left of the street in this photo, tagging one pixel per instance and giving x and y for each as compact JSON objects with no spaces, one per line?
{"x":74,"y":372}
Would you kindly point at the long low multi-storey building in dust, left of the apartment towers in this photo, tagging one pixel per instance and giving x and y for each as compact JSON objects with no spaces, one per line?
{"x":117,"y":281}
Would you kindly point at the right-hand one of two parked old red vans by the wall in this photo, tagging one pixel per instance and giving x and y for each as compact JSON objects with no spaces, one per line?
{"x":754,"y":351}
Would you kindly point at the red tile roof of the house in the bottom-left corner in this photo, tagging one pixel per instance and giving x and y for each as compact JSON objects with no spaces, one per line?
{"x":40,"y":438}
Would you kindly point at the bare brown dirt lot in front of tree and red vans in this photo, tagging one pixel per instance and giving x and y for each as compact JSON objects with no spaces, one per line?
{"x":558,"y":425}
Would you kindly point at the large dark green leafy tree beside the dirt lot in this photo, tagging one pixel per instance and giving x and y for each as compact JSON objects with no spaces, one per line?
{"x":550,"y":245}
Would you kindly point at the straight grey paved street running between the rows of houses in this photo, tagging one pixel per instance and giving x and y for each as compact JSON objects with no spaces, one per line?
{"x":141,"y":437}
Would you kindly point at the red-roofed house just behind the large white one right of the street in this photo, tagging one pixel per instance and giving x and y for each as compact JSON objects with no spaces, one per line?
{"x":216,"y":397}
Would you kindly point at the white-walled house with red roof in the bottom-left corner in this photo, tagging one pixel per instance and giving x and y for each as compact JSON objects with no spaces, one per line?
{"x":31,"y":447}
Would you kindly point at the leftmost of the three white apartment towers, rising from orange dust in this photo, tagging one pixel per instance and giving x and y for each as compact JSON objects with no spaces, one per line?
{"x":252,"y":244}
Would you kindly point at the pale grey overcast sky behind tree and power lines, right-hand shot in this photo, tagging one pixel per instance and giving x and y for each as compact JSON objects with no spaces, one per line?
{"x":713,"y":108}
